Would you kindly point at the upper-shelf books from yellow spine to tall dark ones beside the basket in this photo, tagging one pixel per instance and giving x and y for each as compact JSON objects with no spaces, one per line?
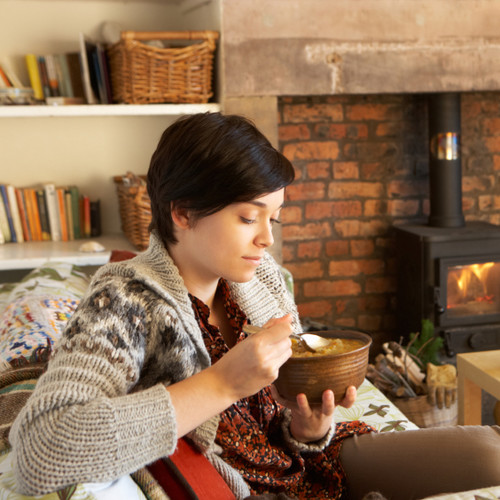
{"x":73,"y":77}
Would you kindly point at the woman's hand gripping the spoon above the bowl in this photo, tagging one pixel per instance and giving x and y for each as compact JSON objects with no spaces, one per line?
{"x":254,"y":363}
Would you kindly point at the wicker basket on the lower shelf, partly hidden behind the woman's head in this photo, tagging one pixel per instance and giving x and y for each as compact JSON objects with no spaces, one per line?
{"x":135,"y":209}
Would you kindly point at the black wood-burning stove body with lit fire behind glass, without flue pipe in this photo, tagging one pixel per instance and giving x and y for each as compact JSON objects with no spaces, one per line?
{"x":452,"y":277}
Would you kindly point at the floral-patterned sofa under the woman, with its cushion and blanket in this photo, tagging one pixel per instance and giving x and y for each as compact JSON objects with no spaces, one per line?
{"x":33,"y":314}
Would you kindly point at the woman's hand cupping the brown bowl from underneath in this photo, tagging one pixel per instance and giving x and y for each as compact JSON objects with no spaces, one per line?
{"x":311,"y":423}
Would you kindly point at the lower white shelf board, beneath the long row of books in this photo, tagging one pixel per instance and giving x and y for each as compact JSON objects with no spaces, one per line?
{"x":29,"y":255}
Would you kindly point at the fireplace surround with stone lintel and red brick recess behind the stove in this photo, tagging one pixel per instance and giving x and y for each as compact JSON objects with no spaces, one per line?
{"x":341,"y":88}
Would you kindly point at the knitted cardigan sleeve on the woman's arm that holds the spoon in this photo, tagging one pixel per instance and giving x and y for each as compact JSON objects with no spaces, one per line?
{"x":82,"y":424}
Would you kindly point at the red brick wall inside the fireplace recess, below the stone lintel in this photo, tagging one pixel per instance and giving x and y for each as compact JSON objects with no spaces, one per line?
{"x":362,"y":166}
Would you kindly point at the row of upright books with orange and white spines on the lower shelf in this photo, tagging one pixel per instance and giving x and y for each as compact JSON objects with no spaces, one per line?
{"x":47,"y":212}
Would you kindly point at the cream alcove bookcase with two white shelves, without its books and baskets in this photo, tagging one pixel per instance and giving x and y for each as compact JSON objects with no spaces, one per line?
{"x":84,"y":145}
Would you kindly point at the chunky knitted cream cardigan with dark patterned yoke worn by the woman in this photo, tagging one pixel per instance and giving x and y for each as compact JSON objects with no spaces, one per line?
{"x":102,"y":410}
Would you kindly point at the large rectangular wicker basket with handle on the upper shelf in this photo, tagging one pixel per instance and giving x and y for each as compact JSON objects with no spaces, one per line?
{"x":143,"y":74}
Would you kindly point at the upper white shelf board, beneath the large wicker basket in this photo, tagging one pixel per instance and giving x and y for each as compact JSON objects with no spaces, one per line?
{"x":106,"y":110}
